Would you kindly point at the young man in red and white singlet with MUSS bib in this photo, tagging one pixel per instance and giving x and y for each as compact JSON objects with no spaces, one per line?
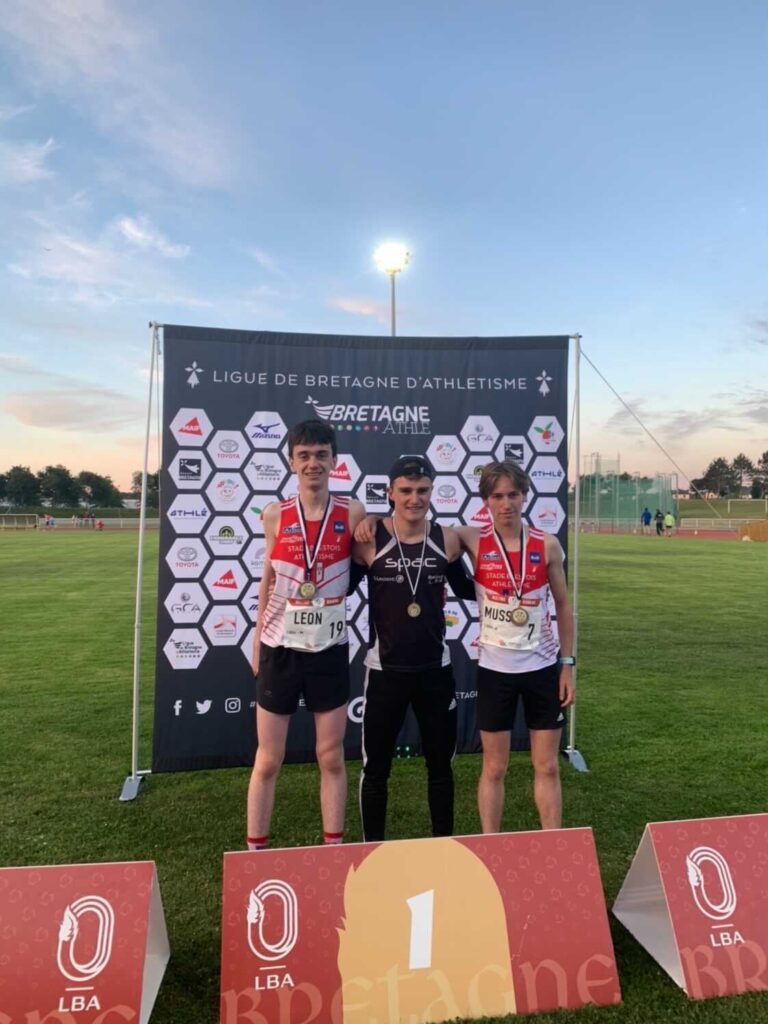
{"x":517,"y":569}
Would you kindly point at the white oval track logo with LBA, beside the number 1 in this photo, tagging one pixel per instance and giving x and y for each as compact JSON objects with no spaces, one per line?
{"x":277,"y":901}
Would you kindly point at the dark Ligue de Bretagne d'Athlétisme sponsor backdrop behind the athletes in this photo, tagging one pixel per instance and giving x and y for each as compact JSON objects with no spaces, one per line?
{"x":230,"y":398}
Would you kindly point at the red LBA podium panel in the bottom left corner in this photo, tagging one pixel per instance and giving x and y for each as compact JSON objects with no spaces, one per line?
{"x":80,"y":944}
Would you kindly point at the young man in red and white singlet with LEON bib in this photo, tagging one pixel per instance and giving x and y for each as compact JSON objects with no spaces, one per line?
{"x":301,"y":645}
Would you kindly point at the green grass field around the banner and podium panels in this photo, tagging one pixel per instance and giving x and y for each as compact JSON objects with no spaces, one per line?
{"x":672,"y":721}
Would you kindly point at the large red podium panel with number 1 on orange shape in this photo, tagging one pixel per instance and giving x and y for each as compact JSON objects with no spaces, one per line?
{"x":435,"y":928}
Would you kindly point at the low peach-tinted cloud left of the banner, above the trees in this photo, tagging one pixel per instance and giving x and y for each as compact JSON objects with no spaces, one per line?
{"x":94,"y":410}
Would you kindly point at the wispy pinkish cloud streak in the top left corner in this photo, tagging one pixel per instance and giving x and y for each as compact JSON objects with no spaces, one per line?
{"x":101,"y":57}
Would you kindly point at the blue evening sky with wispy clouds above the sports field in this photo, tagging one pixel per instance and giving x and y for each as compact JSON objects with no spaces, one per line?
{"x":600,"y":168}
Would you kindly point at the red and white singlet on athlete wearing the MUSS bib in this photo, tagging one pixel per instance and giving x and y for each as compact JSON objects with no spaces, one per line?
{"x":492,"y":577}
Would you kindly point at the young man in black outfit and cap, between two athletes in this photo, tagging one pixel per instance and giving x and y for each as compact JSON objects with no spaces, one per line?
{"x":408,"y":663}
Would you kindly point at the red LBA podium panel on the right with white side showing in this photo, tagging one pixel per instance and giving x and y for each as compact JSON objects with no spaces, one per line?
{"x":697,"y":898}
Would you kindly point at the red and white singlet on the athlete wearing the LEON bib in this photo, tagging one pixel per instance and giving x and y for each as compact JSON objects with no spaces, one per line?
{"x":331,"y":570}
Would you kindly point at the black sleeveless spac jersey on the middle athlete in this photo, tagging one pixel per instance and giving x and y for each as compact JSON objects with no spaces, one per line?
{"x":399,"y":642}
